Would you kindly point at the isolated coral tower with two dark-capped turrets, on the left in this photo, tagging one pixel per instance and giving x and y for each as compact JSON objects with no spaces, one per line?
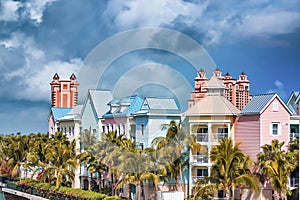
{"x":64,"y":93}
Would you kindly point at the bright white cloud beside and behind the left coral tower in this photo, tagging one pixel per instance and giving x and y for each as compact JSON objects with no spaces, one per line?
{"x":31,"y":80}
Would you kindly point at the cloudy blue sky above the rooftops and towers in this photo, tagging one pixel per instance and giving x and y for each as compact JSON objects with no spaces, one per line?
{"x":39,"y":38}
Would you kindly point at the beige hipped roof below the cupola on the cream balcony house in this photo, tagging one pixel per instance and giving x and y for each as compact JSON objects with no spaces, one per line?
{"x":212,"y":105}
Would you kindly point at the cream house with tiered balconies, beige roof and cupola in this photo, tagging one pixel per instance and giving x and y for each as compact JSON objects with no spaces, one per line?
{"x":210,"y":119}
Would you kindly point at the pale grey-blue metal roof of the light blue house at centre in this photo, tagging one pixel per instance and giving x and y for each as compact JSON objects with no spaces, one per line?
{"x":159,"y":106}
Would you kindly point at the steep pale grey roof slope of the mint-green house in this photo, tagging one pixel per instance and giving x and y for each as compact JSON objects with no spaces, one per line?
{"x":99,"y":99}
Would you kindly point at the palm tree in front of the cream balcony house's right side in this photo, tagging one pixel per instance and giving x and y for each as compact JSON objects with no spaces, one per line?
{"x":231,"y":167}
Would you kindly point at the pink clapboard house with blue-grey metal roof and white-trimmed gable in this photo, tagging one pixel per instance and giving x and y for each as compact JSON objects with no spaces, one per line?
{"x":264,"y":119}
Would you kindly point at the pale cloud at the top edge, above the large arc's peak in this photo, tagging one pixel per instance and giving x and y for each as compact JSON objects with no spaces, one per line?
{"x":142,"y":13}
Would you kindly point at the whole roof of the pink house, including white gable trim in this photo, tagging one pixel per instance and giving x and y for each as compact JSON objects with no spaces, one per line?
{"x":260,"y":102}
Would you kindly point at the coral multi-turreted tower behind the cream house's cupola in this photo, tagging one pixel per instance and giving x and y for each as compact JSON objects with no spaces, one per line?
{"x":236,"y":91}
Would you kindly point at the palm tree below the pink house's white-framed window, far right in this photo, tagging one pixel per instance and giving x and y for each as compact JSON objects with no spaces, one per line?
{"x":276,"y":165}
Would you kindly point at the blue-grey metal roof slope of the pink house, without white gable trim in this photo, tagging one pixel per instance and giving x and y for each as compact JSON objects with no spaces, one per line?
{"x":257,"y":104}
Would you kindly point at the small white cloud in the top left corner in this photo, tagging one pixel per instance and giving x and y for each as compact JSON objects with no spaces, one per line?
{"x":9,"y":10}
